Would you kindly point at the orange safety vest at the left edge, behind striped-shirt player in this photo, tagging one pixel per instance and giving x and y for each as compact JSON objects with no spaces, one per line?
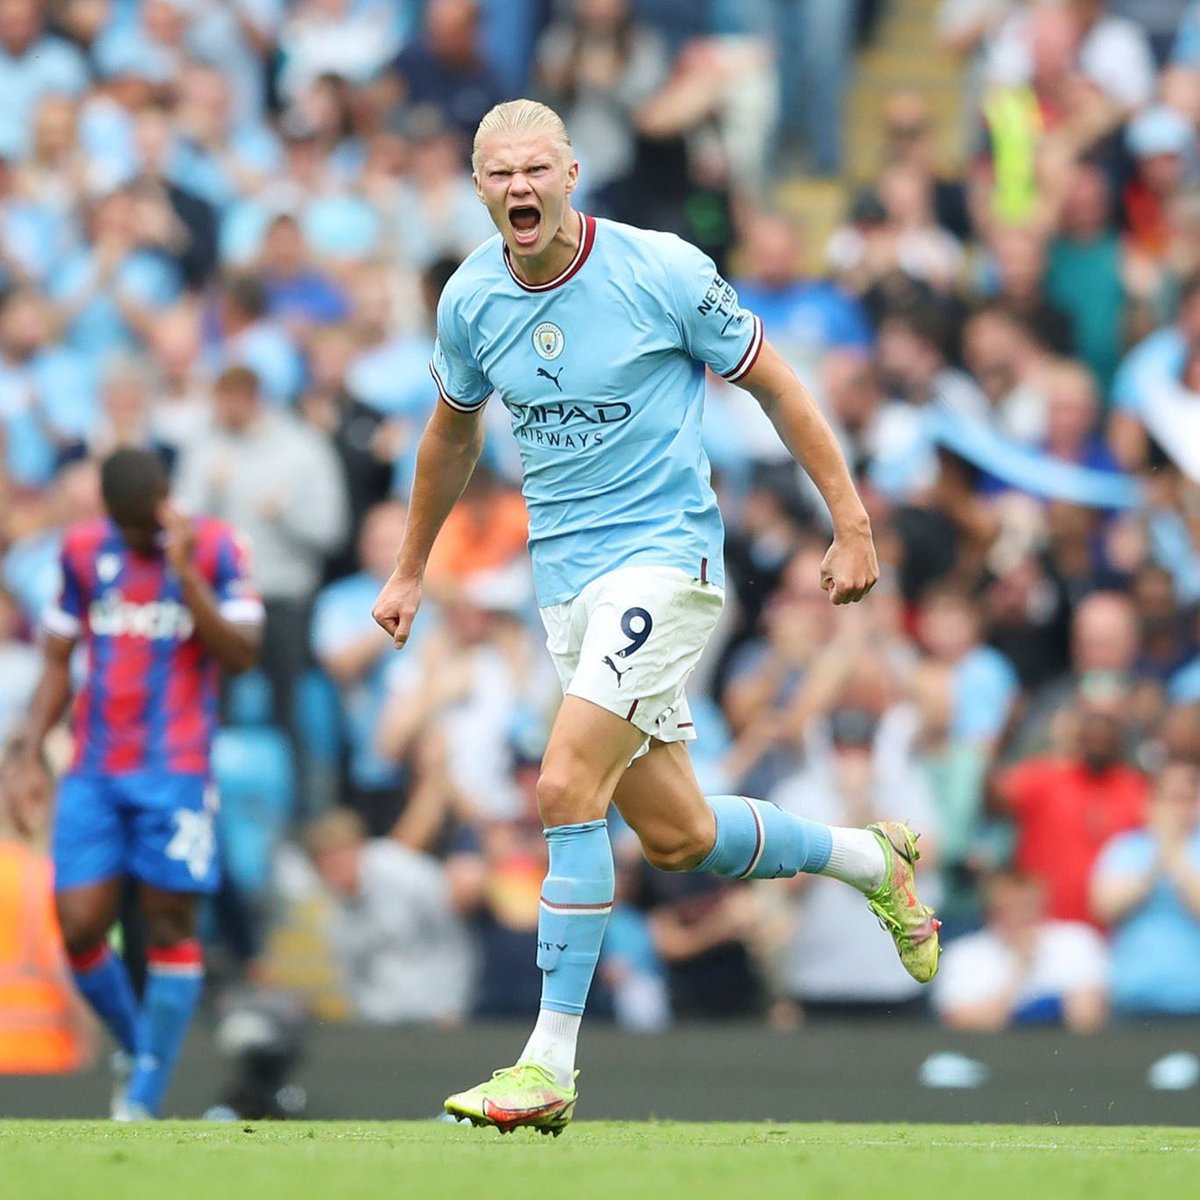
{"x":37,"y":1033}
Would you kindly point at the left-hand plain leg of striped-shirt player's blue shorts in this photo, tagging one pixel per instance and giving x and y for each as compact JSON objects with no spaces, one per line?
{"x":91,"y":842}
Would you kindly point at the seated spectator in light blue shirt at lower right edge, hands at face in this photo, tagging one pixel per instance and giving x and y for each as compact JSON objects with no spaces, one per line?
{"x":1147,"y":889}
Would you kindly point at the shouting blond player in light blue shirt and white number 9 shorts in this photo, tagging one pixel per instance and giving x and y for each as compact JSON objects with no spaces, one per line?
{"x":596,"y":337}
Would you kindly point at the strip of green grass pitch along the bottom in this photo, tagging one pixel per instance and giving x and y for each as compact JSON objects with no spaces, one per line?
{"x":182,"y":1161}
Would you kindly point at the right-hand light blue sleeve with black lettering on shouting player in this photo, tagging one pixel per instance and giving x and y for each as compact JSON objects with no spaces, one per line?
{"x":717,"y":331}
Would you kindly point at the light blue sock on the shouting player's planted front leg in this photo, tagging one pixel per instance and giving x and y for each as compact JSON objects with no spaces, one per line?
{"x":577,"y":899}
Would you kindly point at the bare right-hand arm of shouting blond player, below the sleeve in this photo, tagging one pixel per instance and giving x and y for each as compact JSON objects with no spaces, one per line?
{"x":850,"y":569}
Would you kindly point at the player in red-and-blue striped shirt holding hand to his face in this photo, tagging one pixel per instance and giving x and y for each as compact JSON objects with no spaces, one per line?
{"x":161,"y":604}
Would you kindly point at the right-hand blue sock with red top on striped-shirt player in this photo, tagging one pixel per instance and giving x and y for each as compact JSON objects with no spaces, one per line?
{"x":175,"y":982}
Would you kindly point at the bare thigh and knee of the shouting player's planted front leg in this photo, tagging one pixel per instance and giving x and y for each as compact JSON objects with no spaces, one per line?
{"x":587,"y":752}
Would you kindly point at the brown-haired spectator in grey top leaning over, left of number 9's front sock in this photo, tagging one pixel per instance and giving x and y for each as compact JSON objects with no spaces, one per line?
{"x":395,"y":931}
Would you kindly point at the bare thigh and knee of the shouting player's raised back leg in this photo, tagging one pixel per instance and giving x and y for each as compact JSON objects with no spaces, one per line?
{"x":662,"y":801}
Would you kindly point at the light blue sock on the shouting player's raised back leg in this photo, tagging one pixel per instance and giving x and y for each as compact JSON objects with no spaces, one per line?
{"x":759,"y":841}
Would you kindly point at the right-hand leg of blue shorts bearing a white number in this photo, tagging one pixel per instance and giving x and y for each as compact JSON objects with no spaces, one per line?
{"x":173,"y":832}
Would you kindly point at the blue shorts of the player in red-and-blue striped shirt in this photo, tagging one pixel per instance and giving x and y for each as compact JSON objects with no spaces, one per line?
{"x":154,"y":827}
